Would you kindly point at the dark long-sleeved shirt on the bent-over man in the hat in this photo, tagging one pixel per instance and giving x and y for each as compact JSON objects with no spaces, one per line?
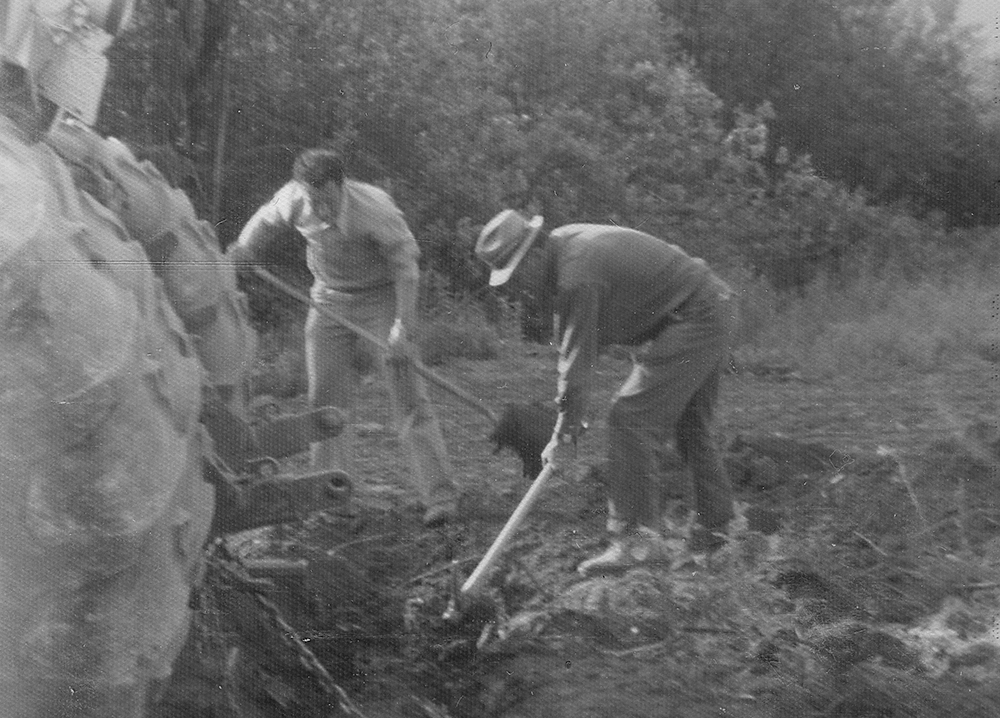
{"x":611,"y":286}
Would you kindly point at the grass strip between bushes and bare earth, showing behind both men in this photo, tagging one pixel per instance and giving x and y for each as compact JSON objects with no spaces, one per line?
{"x":870,"y":325}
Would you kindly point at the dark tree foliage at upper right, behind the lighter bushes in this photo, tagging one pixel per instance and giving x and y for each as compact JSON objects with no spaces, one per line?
{"x":874,"y":91}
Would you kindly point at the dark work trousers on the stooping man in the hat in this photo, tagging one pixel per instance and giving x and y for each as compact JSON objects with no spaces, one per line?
{"x":671,"y":394}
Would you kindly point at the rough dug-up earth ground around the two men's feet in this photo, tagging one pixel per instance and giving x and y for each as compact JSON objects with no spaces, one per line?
{"x":862,"y":579}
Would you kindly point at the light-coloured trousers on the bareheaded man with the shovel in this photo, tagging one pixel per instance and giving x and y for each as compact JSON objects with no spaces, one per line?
{"x":332,"y":355}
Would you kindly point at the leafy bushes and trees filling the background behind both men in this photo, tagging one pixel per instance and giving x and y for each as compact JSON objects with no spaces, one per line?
{"x":846,"y":153}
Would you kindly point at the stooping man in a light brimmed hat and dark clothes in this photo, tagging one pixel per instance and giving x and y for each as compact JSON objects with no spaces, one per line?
{"x":611,"y":285}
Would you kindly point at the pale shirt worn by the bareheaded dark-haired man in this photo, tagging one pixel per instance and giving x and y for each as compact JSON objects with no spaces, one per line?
{"x":368,"y":246}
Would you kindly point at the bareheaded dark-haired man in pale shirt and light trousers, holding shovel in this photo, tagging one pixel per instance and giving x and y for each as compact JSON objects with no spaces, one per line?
{"x":363,"y":258}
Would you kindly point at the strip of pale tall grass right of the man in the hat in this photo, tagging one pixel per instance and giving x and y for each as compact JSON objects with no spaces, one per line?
{"x":872,"y":325}
